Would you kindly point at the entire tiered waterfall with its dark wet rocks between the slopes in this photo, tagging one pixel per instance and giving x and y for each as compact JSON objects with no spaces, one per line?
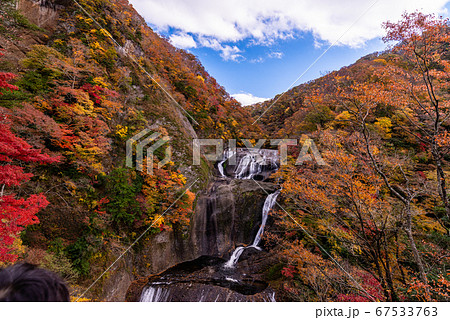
{"x":209,"y":277}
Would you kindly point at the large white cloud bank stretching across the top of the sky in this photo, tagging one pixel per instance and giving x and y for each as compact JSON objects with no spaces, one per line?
{"x":264,"y":22}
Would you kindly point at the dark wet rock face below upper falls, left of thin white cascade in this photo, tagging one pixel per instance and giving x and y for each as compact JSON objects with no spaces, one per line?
{"x":228,"y":215}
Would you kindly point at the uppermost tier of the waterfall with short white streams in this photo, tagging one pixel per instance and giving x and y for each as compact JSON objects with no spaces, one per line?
{"x":245,"y":163}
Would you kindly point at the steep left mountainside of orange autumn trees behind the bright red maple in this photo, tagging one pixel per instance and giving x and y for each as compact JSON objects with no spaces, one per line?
{"x":90,"y":77}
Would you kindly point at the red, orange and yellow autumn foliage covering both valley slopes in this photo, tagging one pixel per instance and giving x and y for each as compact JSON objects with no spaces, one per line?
{"x":371,"y":225}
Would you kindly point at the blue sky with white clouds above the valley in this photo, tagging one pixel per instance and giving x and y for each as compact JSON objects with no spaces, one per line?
{"x":258,"y":48}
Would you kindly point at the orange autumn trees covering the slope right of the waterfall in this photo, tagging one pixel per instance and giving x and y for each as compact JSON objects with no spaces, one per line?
{"x":373,"y":223}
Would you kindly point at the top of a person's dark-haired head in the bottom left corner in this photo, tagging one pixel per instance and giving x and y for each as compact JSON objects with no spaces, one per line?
{"x":26,"y":282}
